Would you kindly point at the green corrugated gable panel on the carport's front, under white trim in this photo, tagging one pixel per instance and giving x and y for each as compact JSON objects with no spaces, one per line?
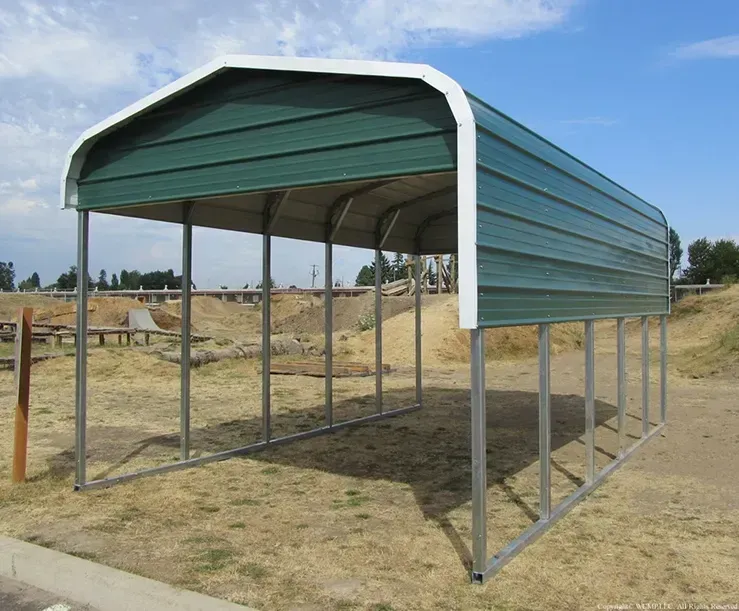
{"x":247,"y":131}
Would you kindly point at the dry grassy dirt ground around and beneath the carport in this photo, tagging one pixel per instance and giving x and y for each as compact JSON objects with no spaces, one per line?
{"x":378,"y":517}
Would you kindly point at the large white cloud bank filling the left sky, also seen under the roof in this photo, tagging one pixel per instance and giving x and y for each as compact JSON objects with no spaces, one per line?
{"x":66,"y":64}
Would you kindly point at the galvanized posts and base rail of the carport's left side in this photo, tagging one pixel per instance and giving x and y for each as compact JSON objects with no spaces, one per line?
{"x":274,"y":202}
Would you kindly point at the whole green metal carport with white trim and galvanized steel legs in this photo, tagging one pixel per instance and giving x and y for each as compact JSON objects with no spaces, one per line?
{"x":388,"y":156}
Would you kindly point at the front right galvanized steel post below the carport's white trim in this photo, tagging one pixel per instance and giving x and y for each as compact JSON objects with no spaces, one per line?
{"x":478,"y":426}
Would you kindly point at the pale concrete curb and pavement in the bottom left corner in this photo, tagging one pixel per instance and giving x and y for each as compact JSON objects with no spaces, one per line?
{"x":30,"y":573}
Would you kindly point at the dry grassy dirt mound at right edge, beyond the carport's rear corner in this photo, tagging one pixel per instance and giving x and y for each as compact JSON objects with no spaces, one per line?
{"x":706,"y":330}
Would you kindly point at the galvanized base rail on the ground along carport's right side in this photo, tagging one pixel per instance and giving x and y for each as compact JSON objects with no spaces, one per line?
{"x":531,"y":534}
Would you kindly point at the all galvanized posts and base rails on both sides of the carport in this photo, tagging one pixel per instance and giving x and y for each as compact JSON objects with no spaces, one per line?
{"x":482,"y":567}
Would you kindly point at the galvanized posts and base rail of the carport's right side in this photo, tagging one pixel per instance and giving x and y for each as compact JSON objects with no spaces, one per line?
{"x":483,"y":568}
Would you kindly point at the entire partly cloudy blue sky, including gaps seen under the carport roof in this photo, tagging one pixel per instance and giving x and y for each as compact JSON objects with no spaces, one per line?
{"x":646,"y":91}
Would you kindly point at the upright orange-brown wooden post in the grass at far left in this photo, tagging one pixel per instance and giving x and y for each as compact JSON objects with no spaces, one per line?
{"x":23,"y":392}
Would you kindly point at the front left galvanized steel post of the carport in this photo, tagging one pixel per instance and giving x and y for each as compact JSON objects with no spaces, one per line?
{"x":80,"y":446}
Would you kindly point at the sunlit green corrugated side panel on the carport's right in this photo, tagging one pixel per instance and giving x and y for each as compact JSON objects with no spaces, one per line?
{"x":556,"y":240}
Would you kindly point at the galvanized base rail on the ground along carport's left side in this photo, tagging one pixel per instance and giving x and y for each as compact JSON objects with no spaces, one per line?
{"x":250,"y":449}
